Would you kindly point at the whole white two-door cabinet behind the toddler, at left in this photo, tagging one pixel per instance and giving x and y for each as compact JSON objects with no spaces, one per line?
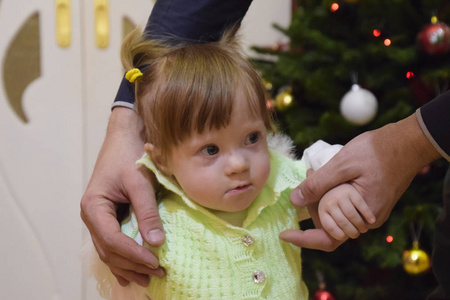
{"x":54,"y":104}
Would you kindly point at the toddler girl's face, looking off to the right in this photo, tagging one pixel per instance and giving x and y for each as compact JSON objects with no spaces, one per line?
{"x":224,"y":169}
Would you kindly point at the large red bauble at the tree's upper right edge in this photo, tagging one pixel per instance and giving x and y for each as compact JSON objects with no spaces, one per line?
{"x":435,"y":38}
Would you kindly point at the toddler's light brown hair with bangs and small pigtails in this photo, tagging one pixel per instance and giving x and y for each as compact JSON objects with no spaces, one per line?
{"x":191,"y":87}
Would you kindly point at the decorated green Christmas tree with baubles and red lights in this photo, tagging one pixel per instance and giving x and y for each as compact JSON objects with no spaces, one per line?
{"x":353,"y":66}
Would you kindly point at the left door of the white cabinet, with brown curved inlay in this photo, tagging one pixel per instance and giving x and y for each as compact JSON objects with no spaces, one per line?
{"x":40,"y":154}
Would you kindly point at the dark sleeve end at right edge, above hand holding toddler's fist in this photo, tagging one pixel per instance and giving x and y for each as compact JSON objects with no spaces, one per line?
{"x":434,"y":118}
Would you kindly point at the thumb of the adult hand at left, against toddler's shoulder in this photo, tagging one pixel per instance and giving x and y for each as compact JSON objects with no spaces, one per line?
{"x":146,"y":209}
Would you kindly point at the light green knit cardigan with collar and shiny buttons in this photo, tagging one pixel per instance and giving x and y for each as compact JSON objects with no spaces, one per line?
{"x":207,"y":258}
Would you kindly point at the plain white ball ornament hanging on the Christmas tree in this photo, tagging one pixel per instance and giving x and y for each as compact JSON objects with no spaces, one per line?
{"x":359,"y":106}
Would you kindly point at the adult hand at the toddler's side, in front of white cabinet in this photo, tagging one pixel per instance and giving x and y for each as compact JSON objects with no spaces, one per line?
{"x":117,"y":179}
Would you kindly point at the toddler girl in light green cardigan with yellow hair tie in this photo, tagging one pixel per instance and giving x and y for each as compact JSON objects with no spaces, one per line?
{"x":225,"y":186}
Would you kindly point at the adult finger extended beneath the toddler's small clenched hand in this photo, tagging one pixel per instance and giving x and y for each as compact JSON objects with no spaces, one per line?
{"x":312,"y":239}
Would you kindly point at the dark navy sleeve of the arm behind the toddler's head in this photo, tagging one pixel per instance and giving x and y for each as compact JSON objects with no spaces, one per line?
{"x":198,"y":21}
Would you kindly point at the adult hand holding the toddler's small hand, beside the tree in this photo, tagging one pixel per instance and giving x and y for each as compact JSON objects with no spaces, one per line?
{"x":380,"y":164}
